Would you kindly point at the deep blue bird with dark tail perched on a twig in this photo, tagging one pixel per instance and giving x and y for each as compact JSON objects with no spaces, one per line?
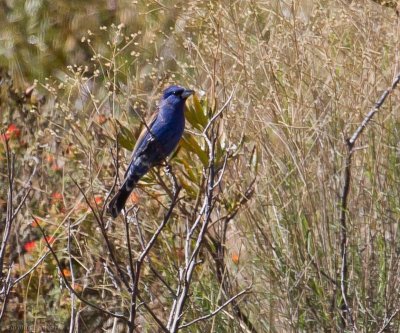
{"x":157,"y":141}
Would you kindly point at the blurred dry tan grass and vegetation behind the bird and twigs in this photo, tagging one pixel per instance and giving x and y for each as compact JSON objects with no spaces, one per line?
{"x":302,"y":76}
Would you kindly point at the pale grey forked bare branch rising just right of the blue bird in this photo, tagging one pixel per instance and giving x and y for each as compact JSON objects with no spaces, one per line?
{"x":212,"y":178}
